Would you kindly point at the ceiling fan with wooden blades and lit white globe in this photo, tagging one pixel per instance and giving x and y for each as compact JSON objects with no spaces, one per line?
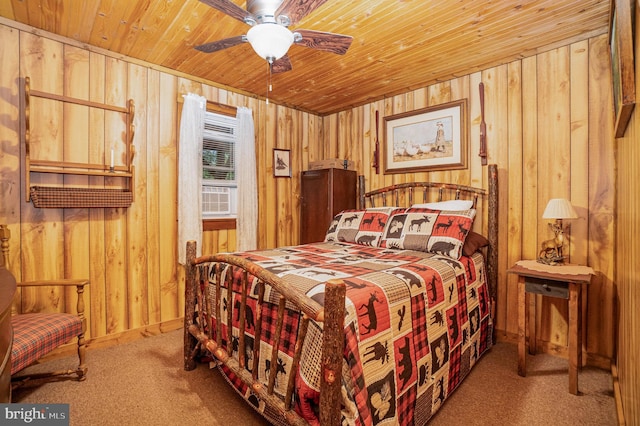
{"x":269,"y":34}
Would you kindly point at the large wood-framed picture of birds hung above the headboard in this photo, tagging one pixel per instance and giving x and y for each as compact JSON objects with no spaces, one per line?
{"x":433,"y":138}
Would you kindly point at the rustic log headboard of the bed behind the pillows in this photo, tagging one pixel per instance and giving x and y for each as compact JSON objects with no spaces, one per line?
{"x":419,"y":192}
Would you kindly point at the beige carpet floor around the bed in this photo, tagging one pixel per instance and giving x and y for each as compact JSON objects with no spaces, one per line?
{"x":143,"y":383}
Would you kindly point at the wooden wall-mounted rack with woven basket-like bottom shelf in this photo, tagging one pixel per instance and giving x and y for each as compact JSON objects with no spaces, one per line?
{"x":61,"y":197}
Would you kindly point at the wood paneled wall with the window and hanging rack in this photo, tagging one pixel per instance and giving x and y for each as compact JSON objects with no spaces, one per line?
{"x":129,"y":254}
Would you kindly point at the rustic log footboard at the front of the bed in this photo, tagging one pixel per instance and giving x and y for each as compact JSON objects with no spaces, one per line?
{"x":195,"y":338}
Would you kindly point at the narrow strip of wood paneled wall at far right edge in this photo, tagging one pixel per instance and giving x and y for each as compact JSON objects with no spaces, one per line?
{"x":627,"y":251}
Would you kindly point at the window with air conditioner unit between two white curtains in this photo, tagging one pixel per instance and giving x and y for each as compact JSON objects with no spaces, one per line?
{"x":219,"y":187}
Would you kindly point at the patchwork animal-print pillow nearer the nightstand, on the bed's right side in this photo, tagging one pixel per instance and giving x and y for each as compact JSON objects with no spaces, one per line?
{"x":435,"y":231}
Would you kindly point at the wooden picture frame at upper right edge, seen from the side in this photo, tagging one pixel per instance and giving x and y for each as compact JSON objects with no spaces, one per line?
{"x":622,"y":64}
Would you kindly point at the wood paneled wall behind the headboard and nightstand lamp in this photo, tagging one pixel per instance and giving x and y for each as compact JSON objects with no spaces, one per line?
{"x":549,"y":131}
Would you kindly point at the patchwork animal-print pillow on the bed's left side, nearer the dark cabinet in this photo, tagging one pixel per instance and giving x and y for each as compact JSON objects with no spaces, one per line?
{"x":362,"y":227}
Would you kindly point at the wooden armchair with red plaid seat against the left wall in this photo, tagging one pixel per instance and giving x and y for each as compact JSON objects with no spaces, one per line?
{"x":37,"y":334}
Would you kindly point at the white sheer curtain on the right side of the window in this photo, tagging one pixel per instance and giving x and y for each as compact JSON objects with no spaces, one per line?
{"x":247,"y":222}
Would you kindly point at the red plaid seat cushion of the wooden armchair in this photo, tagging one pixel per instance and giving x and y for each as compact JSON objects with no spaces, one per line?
{"x":35,"y":335}
